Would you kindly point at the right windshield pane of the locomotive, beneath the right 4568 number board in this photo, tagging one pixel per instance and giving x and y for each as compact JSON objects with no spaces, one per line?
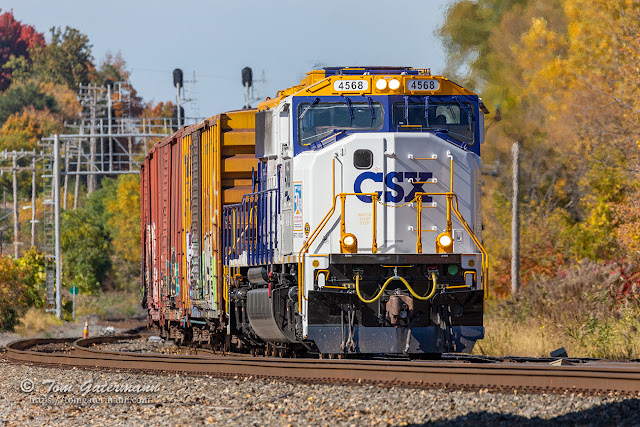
{"x":455,"y":118}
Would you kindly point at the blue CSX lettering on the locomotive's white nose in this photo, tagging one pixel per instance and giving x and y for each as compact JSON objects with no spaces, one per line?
{"x":396,"y":192}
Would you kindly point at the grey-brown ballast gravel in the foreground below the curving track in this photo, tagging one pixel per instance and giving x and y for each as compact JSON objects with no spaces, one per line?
{"x":33,"y":395}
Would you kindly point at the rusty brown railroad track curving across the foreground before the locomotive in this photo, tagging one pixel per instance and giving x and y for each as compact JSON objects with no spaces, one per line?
{"x":585,"y":377}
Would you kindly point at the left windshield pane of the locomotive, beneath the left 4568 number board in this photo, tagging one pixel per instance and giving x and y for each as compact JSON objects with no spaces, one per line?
{"x":317,"y":120}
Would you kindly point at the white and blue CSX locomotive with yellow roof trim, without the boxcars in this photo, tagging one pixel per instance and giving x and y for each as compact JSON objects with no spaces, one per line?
{"x":372,"y":244}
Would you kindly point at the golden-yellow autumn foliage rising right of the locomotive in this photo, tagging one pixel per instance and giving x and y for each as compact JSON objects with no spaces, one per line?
{"x":561,"y":74}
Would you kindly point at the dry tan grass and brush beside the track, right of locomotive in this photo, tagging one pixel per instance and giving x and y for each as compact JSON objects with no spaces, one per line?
{"x":588,"y":309}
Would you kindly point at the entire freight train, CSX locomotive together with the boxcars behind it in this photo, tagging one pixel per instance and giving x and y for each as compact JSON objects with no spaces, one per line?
{"x":341,"y":217}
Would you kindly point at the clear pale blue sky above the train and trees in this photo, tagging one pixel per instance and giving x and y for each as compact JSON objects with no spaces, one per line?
{"x":279,"y":39}
